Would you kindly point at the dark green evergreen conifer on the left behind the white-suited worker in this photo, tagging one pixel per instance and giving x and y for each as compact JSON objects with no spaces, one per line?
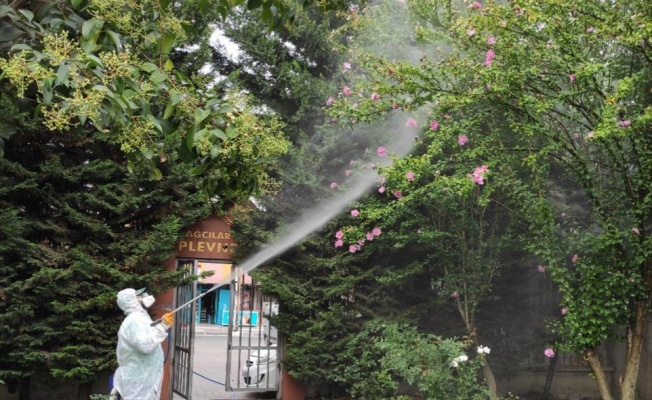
{"x":76,"y":228}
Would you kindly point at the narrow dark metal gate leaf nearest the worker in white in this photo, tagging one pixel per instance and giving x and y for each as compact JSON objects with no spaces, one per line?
{"x":184,"y":331}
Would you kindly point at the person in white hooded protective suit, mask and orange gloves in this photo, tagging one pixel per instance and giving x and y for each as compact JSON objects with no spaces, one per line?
{"x":140,"y":356}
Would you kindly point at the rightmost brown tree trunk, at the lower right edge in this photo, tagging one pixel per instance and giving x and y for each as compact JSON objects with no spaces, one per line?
{"x":635,"y":338}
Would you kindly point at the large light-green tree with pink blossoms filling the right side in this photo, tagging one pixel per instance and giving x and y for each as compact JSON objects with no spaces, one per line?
{"x":549,"y":100}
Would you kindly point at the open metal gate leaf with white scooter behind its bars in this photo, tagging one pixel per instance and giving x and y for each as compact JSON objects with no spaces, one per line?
{"x":252,"y":339}
